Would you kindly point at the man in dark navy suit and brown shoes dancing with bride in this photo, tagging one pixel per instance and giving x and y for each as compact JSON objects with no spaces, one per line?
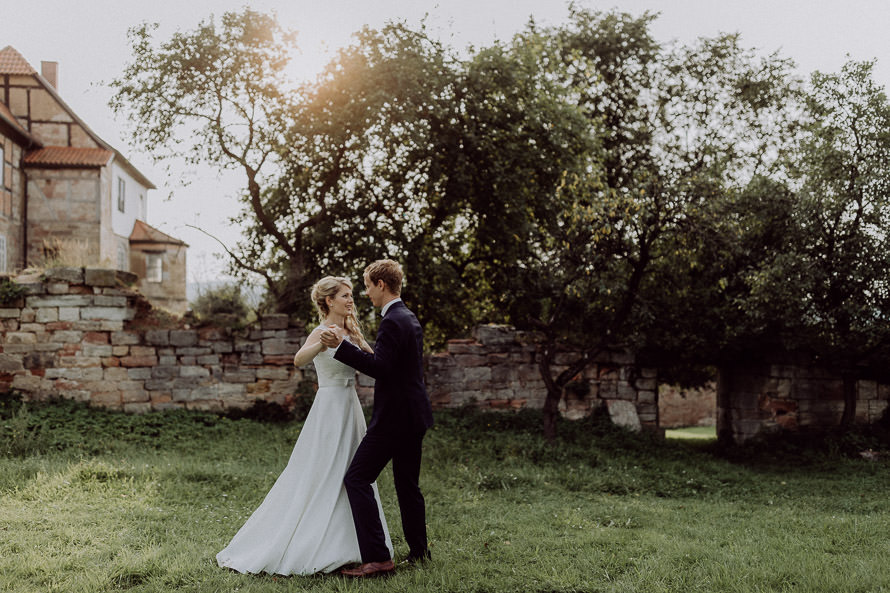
{"x":401,"y":416}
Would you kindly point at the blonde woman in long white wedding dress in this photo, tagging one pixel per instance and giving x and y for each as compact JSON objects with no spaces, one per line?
{"x":305,"y":525}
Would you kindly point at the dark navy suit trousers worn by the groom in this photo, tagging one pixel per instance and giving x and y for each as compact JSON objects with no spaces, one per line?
{"x":372,"y":455}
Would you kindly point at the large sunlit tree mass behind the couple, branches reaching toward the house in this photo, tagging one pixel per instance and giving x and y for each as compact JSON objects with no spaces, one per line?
{"x":398,"y":149}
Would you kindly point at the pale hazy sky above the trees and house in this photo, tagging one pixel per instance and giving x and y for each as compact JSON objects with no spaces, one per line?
{"x":88,"y":40}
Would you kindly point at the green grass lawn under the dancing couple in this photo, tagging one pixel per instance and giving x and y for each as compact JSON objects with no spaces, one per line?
{"x":98,"y":501}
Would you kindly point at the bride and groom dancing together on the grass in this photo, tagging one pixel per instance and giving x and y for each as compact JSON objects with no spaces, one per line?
{"x":324,"y":511}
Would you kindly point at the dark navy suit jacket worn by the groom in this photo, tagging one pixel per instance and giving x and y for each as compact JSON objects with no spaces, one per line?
{"x":401,"y":403}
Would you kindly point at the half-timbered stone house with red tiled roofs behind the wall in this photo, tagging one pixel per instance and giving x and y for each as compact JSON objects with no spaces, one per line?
{"x":65,"y":190}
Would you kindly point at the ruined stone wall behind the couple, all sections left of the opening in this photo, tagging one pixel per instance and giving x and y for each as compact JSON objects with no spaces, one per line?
{"x":83,"y":334}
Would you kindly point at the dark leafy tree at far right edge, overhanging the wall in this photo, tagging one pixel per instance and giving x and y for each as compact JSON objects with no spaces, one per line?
{"x":791,"y":264}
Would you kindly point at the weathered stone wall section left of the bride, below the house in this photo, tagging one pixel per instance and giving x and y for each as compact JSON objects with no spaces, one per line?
{"x":88,"y":343}
